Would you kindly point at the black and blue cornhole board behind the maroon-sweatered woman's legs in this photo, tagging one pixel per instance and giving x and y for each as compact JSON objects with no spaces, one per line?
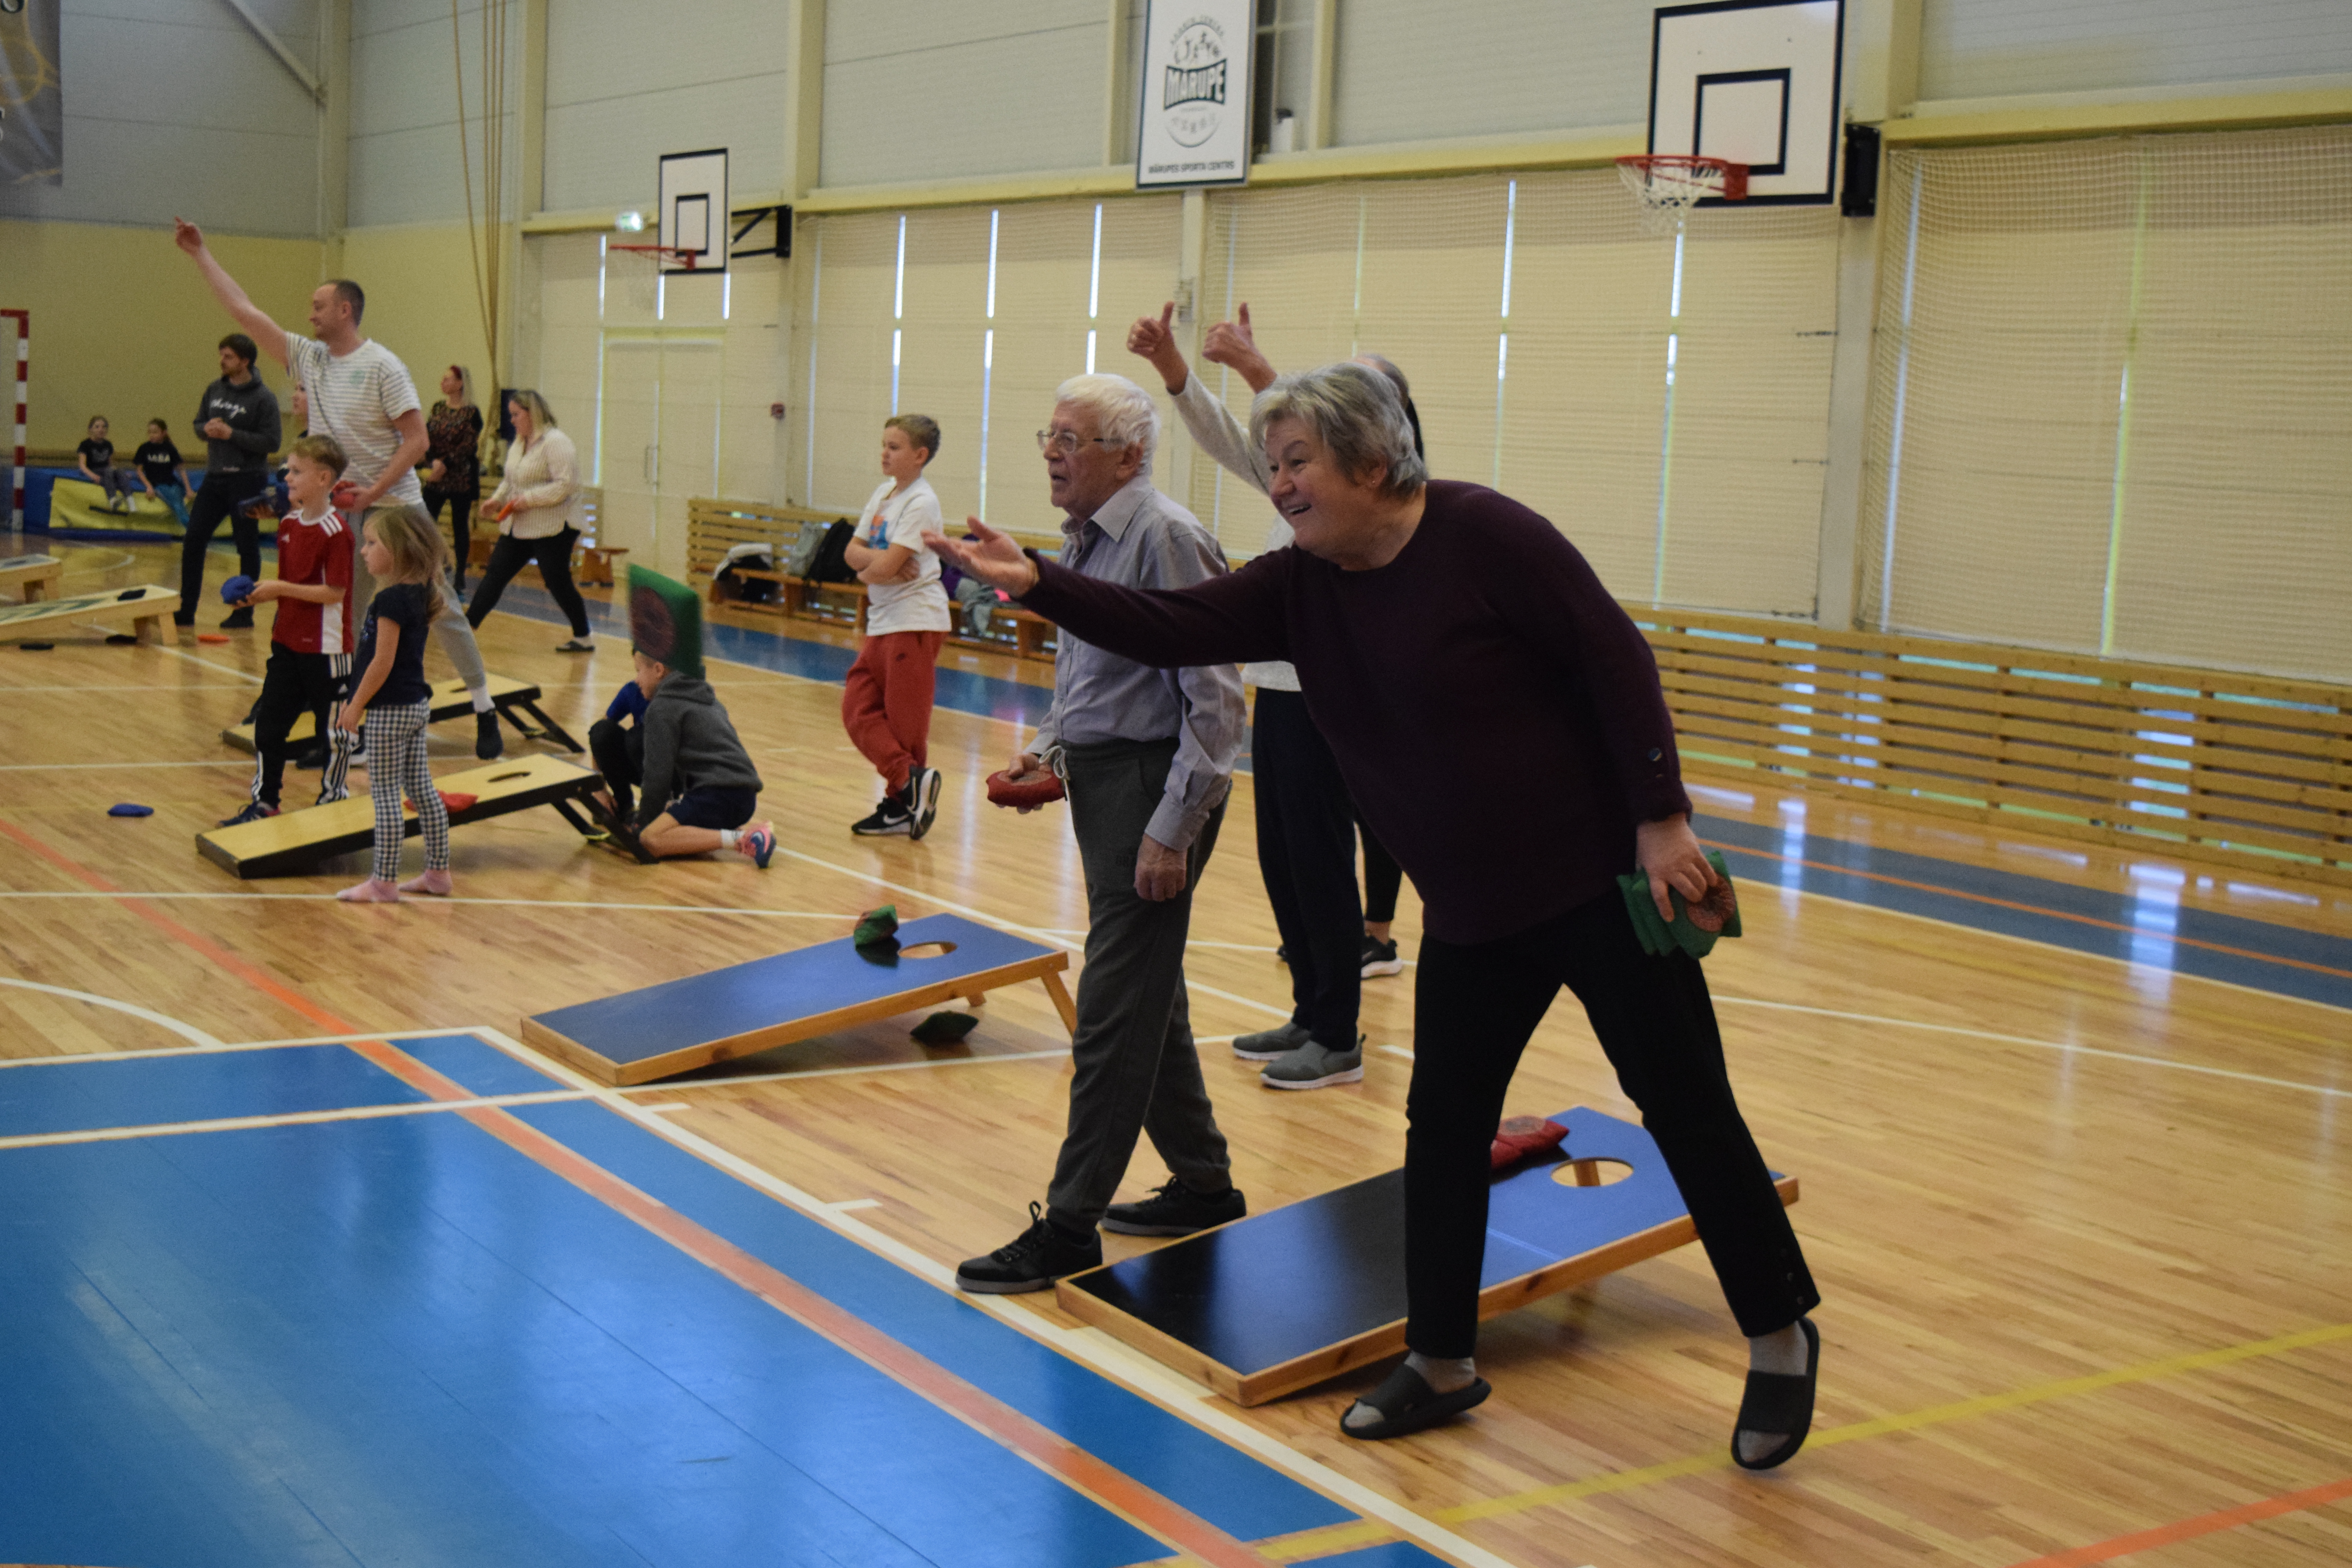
{"x":1337,"y":1266}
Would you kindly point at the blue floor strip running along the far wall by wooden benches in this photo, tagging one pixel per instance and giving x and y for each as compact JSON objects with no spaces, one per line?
{"x":2151,"y":918}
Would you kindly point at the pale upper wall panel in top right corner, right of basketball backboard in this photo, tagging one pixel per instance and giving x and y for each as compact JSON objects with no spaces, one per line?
{"x":1998,"y":48}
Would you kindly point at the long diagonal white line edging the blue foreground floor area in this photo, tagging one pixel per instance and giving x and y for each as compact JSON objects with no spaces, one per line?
{"x":1088,"y":1346}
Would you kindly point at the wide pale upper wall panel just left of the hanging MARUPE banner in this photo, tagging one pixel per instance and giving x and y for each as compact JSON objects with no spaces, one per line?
{"x":942,"y":91}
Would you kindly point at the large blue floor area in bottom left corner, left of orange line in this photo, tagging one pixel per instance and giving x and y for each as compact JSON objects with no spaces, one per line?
{"x":406,"y":1343}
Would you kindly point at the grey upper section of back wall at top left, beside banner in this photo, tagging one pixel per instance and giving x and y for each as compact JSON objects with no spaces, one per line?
{"x":182,"y":109}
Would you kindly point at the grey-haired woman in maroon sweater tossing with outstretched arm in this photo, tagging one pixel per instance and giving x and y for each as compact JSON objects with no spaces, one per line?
{"x":1445,"y":634}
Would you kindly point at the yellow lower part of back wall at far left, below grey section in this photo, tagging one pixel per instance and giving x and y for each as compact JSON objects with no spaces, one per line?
{"x":126,"y":328}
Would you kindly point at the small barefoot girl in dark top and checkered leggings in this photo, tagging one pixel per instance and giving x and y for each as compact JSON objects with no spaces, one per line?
{"x":406,"y":558}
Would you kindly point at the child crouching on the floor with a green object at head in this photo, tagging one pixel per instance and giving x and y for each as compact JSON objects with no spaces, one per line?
{"x":697,"y":779}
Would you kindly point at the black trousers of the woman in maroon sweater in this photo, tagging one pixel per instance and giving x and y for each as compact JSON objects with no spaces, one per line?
{"x":1474,"y":1012}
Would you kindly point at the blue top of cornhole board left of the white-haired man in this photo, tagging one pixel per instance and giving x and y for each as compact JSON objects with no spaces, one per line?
{"x":784,"y":986}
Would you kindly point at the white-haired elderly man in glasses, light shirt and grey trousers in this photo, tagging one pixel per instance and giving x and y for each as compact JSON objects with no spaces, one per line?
{"x":1149,"y":760}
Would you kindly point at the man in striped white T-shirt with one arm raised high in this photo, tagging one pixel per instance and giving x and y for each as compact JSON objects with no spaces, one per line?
{"x":363,"y":396}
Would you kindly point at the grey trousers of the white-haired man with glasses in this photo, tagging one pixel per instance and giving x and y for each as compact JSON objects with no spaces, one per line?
{"x":1135,"y":1061}
